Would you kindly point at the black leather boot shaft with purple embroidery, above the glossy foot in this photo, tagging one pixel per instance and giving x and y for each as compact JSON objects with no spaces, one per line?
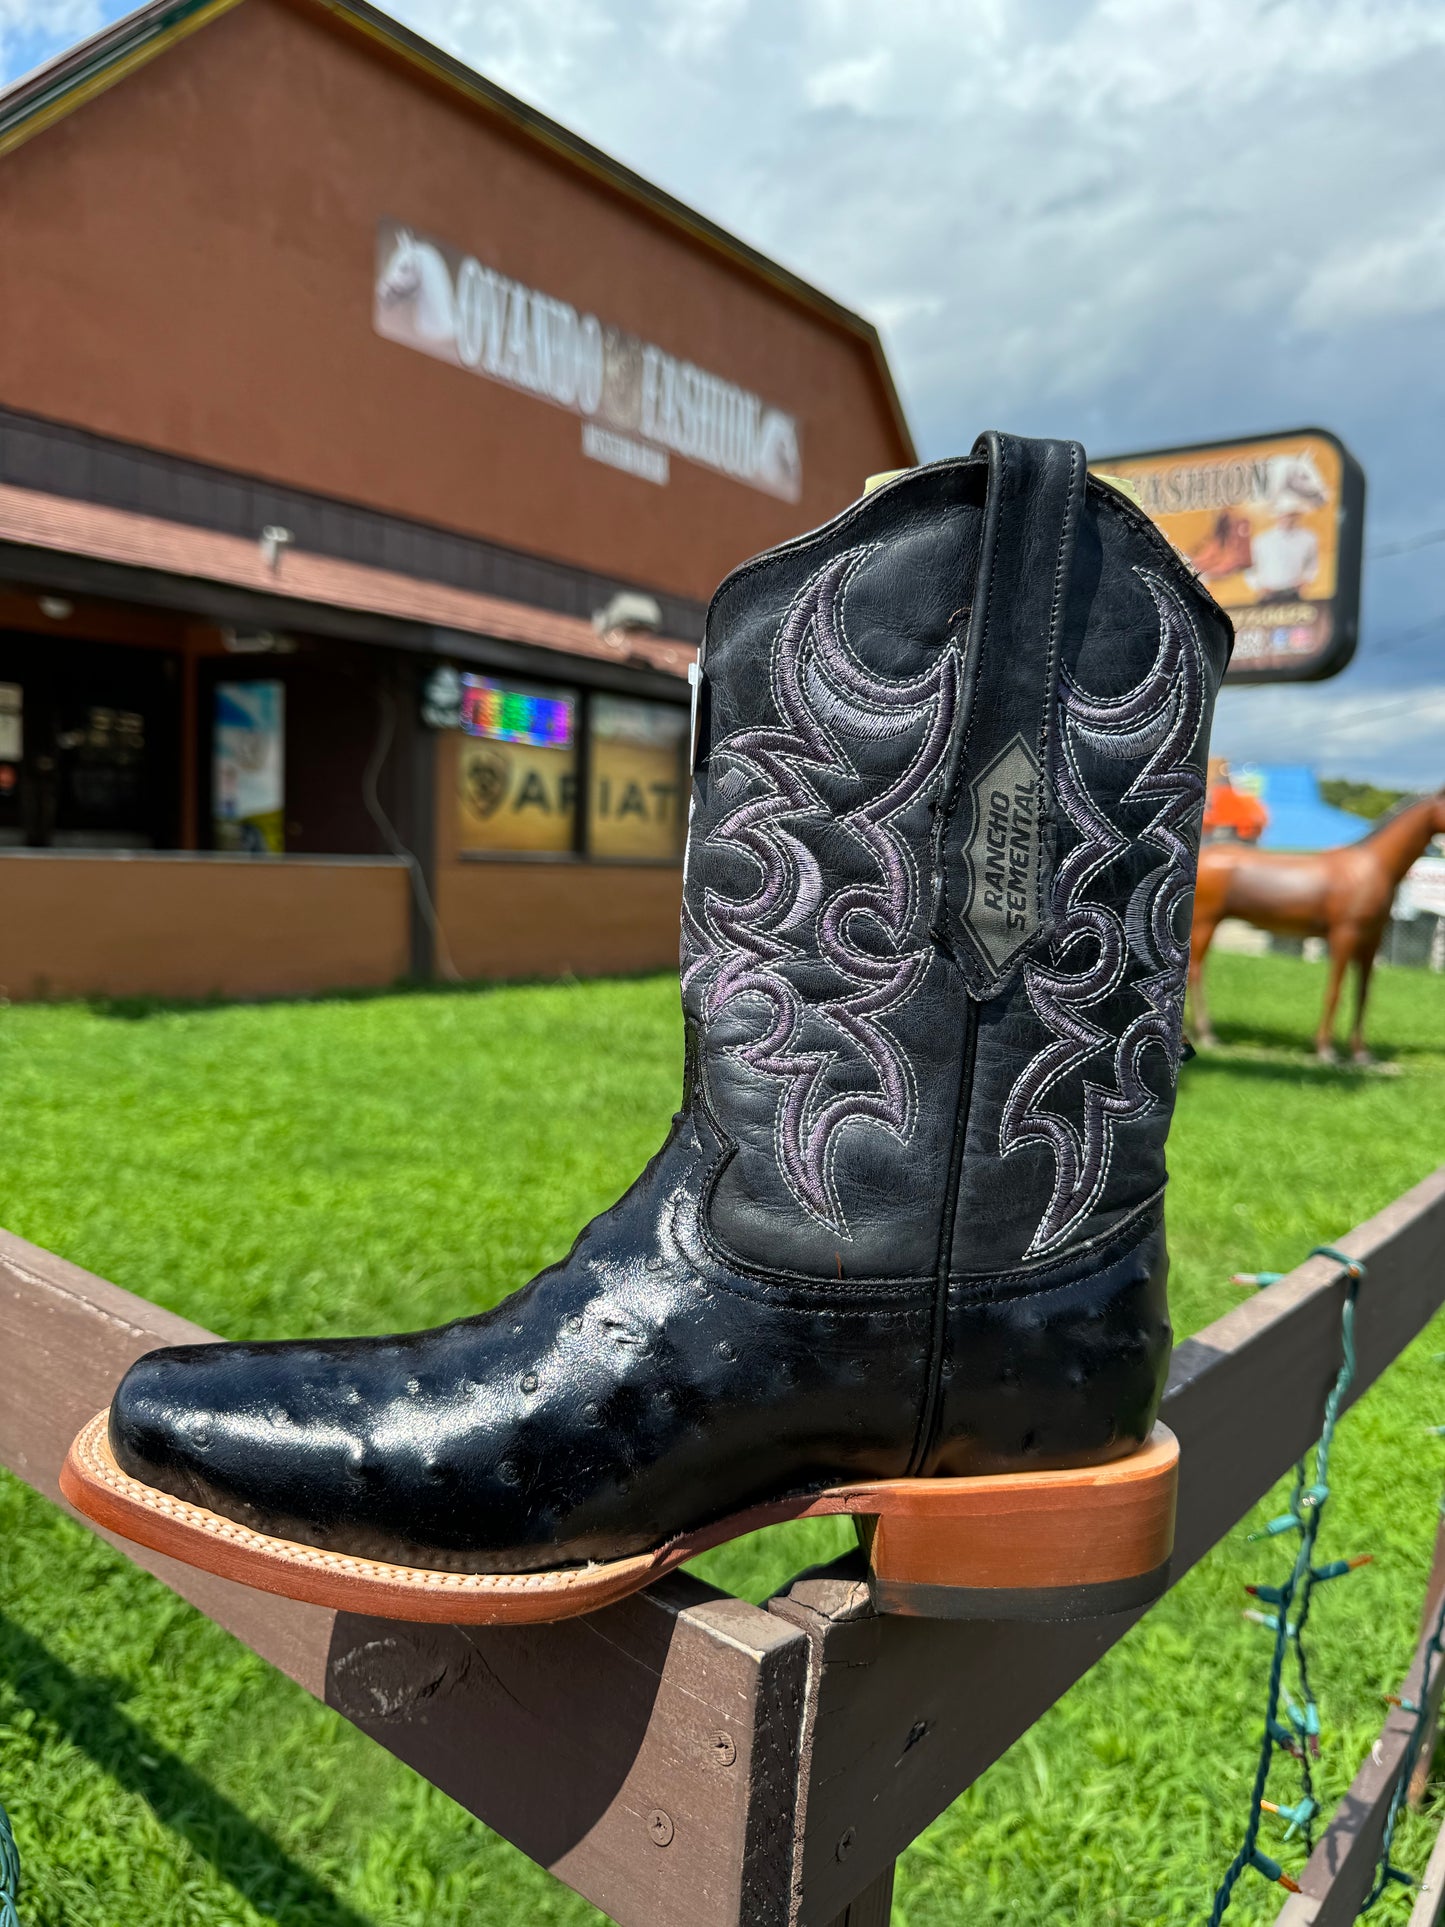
{"x":970,"y":814}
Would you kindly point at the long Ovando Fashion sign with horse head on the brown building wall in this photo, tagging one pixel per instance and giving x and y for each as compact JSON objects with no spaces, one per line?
{"x":639,"y":404}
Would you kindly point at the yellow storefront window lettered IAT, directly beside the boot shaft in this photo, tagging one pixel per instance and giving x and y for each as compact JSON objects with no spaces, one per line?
{"x":639,"y":781}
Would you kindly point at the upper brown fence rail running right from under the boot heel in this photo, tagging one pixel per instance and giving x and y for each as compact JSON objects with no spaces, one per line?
{"x":905,"y":1714}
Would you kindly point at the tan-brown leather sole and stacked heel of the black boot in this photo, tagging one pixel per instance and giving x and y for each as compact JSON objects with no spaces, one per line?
{"x":1001,"y":1546}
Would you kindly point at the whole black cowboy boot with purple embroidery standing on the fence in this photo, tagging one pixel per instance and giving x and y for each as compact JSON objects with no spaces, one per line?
{"x":903,"y":1252}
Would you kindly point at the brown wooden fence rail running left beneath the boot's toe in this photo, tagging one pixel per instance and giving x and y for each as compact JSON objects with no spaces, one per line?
{"x":646,"y":1755}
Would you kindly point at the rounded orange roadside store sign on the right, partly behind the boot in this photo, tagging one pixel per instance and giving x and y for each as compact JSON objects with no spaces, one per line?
{"x":1274,"y":527}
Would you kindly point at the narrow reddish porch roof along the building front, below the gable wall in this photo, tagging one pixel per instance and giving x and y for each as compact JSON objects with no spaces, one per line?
{"x":147,"y":542}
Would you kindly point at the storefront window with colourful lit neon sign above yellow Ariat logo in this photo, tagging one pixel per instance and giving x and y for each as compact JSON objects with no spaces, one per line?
{"x":517,"y":768}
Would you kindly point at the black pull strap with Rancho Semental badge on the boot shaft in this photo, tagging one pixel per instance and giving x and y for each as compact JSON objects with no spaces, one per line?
{"x":995,"y":864}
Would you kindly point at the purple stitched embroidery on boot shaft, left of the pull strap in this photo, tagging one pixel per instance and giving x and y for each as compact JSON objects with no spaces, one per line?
{"x":743,"y":949}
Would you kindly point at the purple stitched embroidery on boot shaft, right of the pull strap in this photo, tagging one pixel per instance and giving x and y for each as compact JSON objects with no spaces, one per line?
{"x":1097,"y":953}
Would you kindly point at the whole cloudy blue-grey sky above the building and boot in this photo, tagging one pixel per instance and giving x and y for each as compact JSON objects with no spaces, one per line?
{"x":1138,"y":223}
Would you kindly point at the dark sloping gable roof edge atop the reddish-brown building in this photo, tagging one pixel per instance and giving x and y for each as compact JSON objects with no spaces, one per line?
{"x":39,"y":99}
